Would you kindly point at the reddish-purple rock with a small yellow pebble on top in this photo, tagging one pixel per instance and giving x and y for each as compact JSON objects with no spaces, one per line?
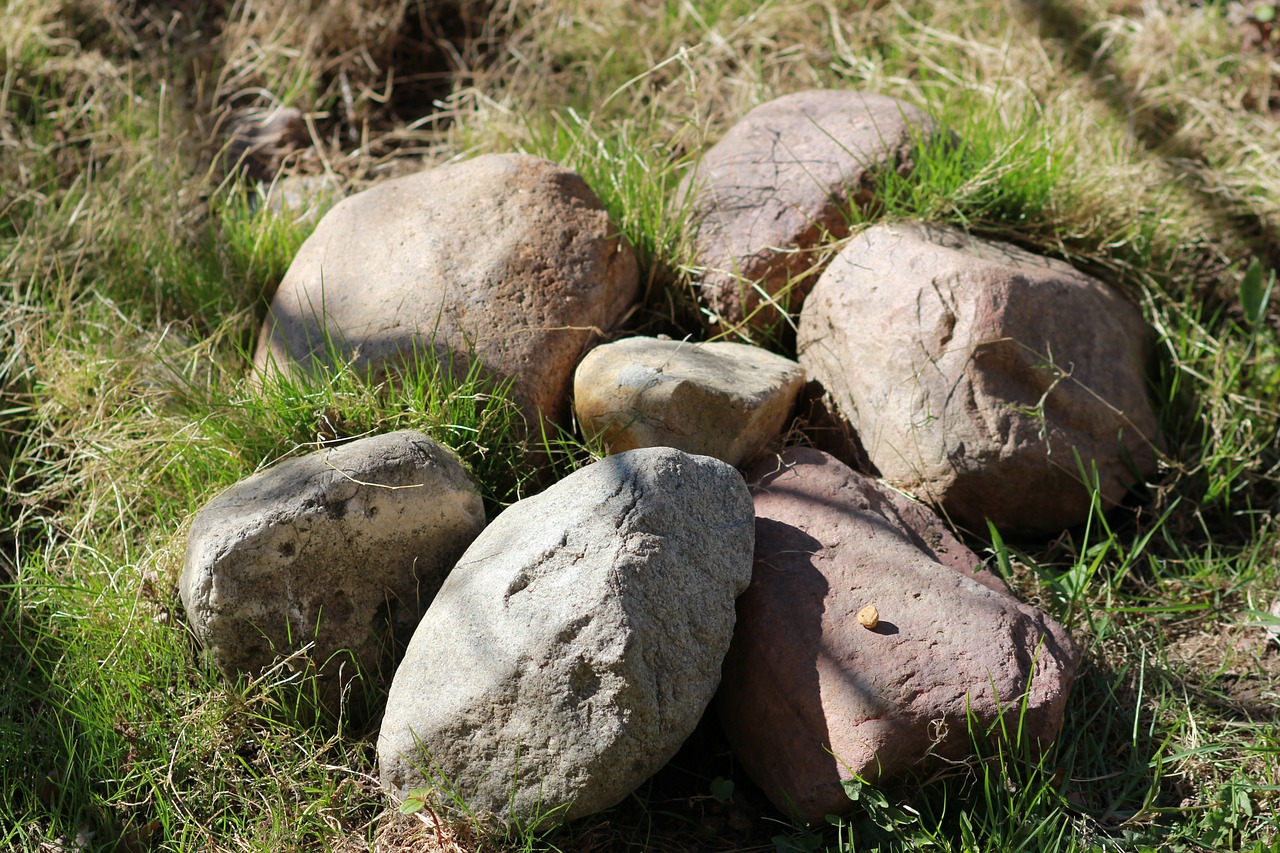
{"x":804,"y":679}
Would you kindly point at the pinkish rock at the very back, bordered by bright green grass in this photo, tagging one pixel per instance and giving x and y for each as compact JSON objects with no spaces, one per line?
{"x":781,"y":183}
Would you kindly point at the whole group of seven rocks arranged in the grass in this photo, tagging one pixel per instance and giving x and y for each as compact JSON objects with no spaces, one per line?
{"x":552,"y":662}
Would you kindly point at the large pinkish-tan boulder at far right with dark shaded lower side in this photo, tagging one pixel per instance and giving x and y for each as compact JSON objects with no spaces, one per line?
{"x":976,"y":372}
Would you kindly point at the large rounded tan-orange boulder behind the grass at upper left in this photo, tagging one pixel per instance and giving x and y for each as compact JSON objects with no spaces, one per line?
{"x":508,"y":258}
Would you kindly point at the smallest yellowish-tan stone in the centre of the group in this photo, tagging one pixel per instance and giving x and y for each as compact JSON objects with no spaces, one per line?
{"x":725,"y":400}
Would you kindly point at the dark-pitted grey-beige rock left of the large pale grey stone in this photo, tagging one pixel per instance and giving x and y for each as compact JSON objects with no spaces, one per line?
{"x":345,"y":548}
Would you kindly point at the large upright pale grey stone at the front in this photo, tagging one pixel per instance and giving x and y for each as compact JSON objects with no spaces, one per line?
{"x":578,"y":642}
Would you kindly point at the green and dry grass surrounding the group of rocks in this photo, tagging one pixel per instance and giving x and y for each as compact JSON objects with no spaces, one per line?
{"x":1140,"y":142}
